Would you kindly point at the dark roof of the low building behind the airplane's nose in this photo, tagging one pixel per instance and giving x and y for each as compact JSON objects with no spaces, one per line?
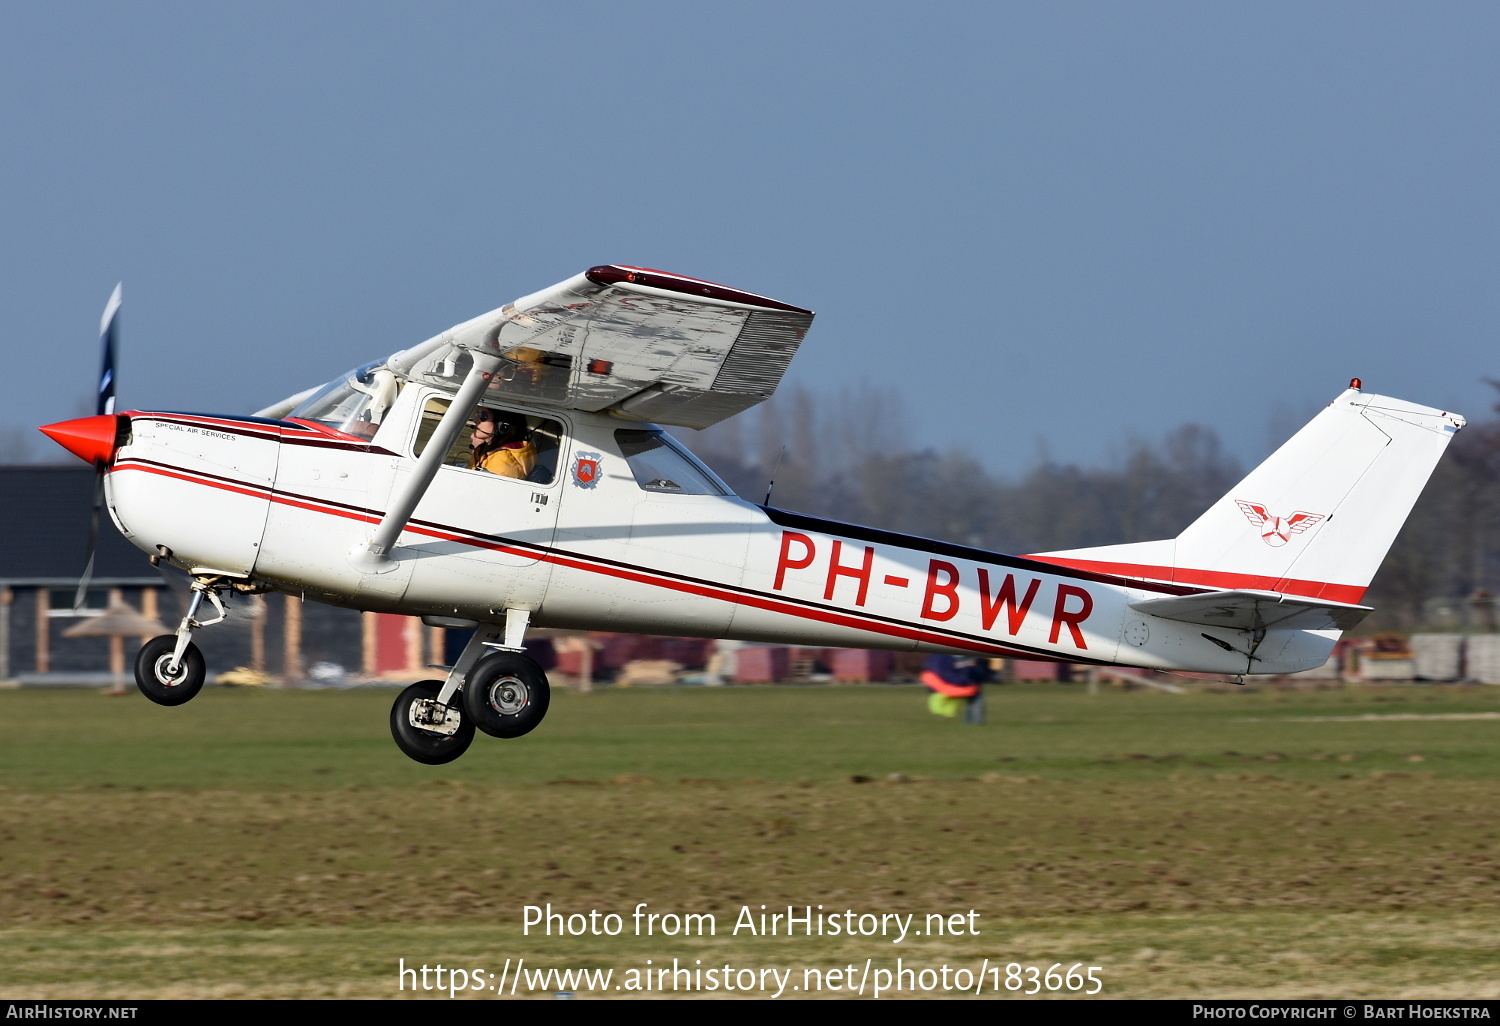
{"x":44,"y":529}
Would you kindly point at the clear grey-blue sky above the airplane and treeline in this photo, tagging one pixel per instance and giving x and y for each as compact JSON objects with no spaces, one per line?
{"x":1064,"y":223}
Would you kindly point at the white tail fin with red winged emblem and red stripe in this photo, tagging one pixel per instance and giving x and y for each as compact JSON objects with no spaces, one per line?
{"x":1315,"y":520}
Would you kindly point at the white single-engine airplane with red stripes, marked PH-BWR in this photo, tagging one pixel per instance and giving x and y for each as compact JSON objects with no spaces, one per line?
{"x":365,"y":494}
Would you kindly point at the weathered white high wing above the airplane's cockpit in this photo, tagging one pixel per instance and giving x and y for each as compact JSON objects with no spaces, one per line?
{"x":641,"y":343}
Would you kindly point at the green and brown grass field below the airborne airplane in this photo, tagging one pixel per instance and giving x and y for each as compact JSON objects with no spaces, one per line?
{"x":1240,"y":844}
